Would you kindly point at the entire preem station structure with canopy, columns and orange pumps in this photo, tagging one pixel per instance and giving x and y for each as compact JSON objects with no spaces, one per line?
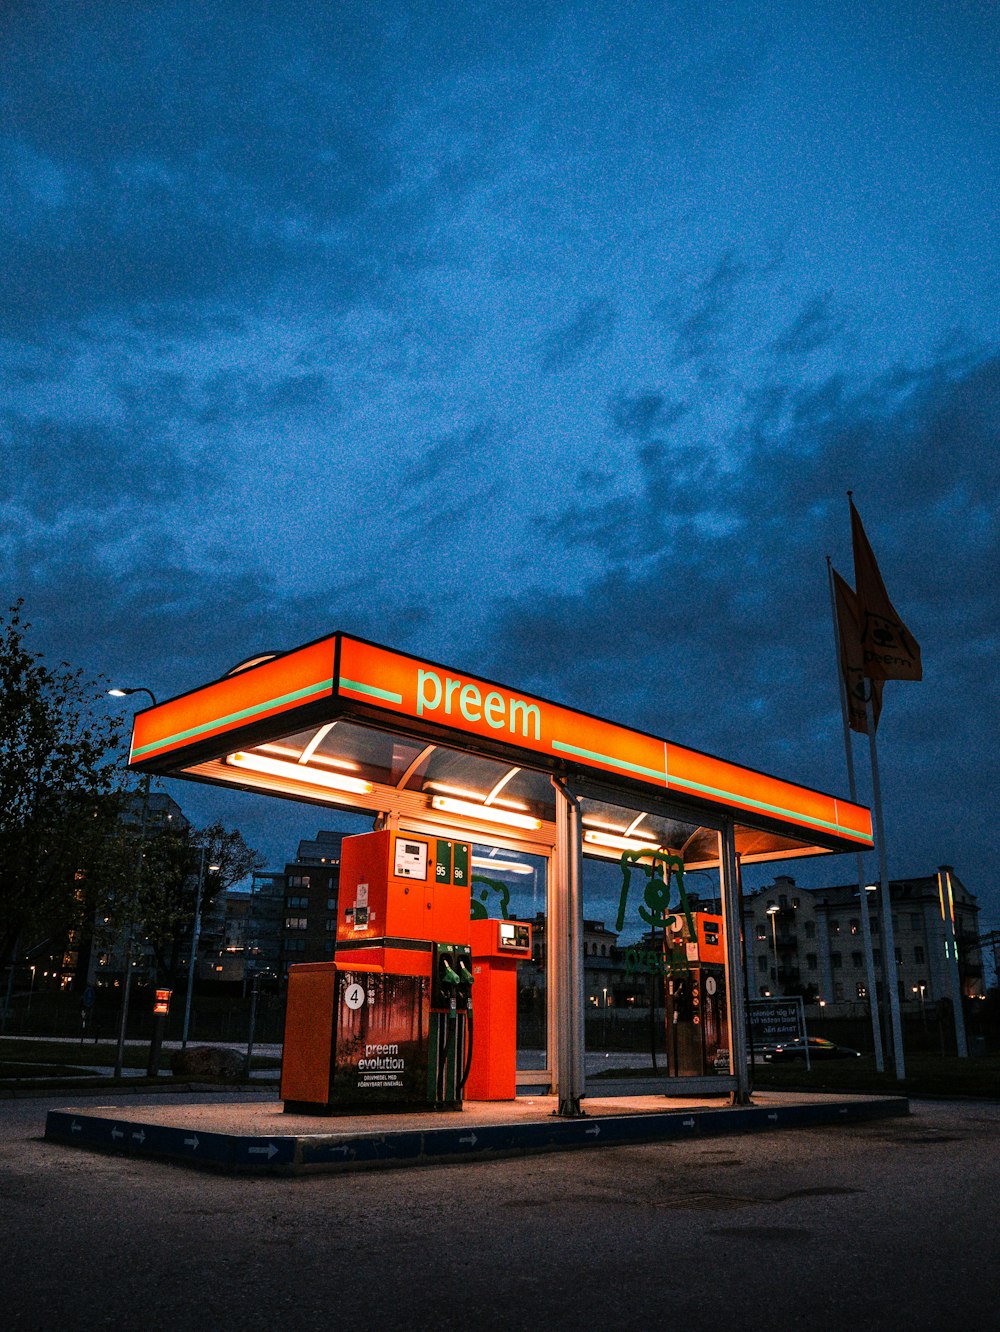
{"x":444,"y":763}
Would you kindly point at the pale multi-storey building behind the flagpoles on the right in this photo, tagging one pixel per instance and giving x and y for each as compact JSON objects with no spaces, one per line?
{"x":810,"y":942}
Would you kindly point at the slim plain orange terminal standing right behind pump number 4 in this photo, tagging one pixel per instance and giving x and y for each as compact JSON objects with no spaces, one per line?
{"x":497,"y":949}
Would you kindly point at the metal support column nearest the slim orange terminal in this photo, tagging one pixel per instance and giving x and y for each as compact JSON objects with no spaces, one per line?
{"x":567,"y":937}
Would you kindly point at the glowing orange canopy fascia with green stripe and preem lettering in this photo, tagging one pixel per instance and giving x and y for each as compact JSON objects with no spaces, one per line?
{"x":342,"y":677}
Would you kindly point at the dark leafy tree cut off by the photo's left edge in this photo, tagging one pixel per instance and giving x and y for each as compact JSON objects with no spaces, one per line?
{"x":61,"y":789}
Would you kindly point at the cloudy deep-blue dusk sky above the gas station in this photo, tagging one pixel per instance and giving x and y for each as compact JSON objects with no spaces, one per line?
{"x":539,"y":339}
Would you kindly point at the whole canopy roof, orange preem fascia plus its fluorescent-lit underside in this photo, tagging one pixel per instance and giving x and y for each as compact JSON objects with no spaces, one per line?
{"x":350,"y":724}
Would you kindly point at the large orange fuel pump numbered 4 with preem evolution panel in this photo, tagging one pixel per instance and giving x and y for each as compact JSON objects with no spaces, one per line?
{"x":387,"y":1024}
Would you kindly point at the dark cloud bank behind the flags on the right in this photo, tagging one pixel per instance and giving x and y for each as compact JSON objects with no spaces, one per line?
{"x":710,"y":621}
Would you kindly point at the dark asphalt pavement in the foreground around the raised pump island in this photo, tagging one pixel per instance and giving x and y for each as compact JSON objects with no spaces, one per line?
{"x":889,"y":1225}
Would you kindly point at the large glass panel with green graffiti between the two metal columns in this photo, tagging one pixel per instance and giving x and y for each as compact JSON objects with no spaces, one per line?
{"x":654,"y":957}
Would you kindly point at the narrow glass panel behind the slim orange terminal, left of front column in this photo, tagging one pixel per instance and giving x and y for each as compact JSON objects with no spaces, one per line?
{"x":513,"y":886}
